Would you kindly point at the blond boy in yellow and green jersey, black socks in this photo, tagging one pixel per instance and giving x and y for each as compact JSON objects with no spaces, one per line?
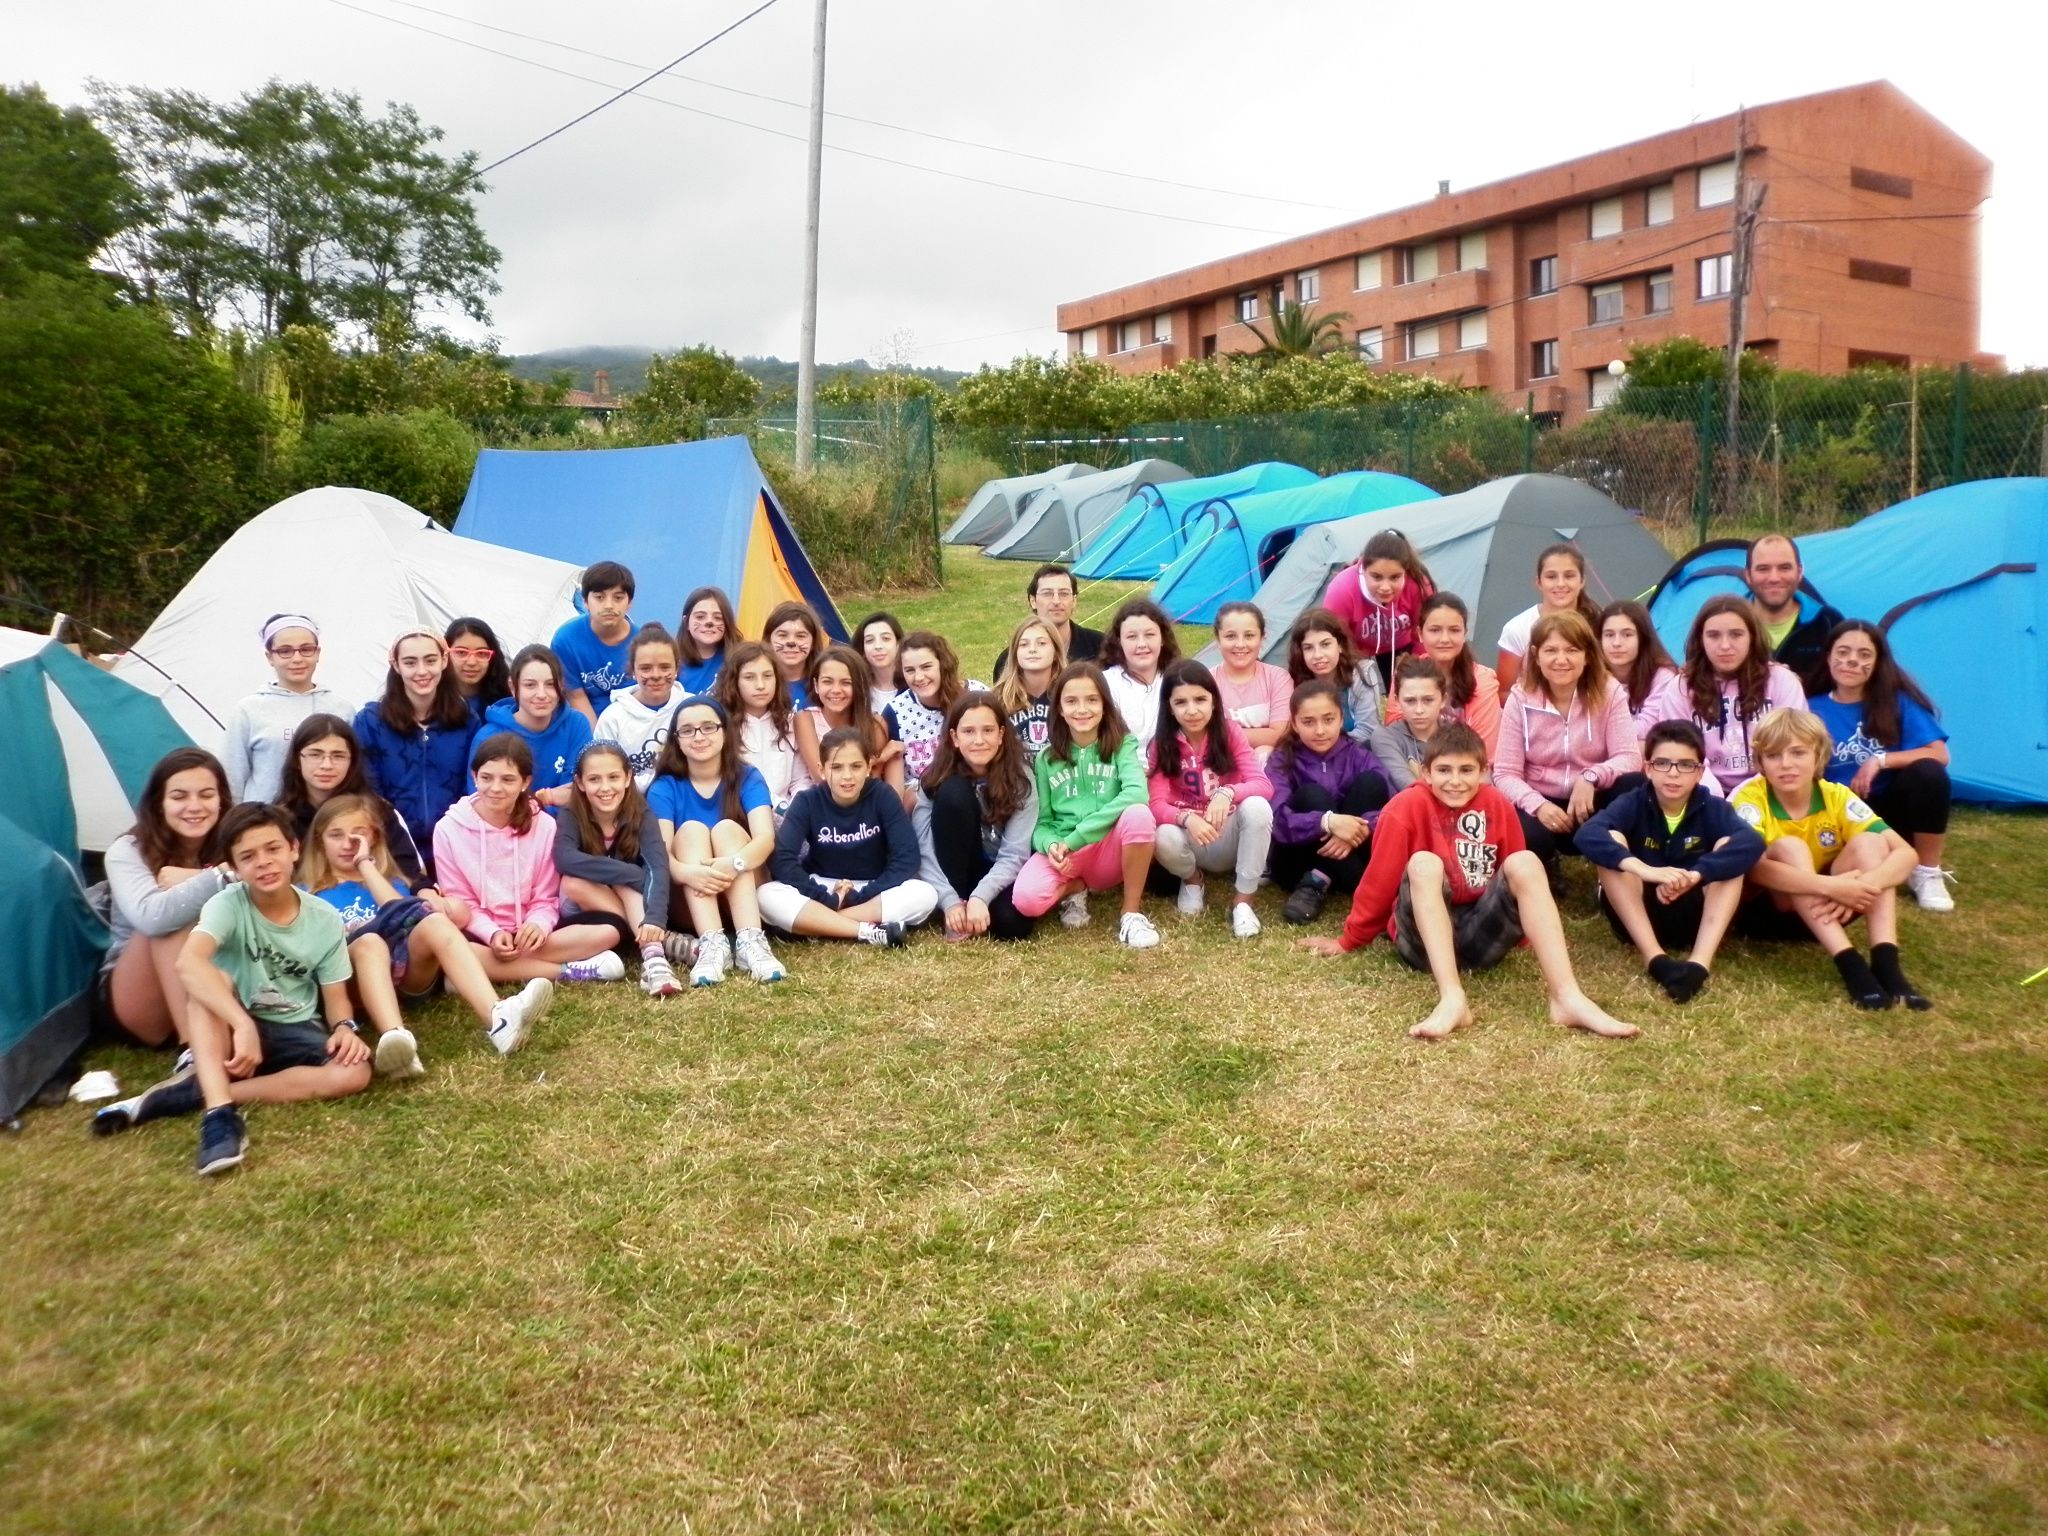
{"x":1828,"y":859}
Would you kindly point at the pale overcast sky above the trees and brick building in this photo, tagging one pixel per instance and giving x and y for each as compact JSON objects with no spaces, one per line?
{"x":660,"y":226}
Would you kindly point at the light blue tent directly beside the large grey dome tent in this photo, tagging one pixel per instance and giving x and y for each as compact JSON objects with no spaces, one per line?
{"x":1234,"y":544}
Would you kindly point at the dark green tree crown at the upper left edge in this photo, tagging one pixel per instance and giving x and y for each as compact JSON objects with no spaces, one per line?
{"x":62,"y":194}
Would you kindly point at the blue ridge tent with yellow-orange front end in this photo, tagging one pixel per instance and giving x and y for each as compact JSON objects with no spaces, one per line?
{"x":681,"y":515}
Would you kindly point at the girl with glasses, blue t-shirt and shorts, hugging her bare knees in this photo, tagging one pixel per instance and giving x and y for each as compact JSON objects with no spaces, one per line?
{"x":720,"y":830}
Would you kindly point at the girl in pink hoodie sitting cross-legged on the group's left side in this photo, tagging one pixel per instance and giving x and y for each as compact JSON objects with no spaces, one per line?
{"x":495,"y":853}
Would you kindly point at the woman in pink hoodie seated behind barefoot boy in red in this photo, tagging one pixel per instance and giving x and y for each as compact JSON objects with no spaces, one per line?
{"x":1566,"y":736}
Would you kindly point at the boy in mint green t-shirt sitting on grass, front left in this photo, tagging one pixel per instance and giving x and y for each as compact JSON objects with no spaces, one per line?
{"x":263,"y":966}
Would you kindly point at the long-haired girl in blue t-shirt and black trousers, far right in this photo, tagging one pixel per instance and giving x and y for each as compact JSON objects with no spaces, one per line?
{"x":1889,"y":749}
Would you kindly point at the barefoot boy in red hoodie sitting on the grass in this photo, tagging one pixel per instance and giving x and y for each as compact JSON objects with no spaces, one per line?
{"x":1455,"y":888}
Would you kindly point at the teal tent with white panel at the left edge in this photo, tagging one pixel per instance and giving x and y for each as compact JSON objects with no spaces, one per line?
{"x":77,"y":753}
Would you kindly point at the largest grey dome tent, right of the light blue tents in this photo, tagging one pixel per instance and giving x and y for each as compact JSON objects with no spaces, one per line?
{"x":1482,"y":546}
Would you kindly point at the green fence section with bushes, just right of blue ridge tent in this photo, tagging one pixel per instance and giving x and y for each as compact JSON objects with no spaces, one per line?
{"x":867,"y":513}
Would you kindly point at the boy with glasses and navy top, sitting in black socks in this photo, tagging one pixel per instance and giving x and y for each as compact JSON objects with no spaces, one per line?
{"x":1672,"y":861}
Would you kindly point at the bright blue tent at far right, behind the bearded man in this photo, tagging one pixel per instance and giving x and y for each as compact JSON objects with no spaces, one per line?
{"x":1957,"y":583}
